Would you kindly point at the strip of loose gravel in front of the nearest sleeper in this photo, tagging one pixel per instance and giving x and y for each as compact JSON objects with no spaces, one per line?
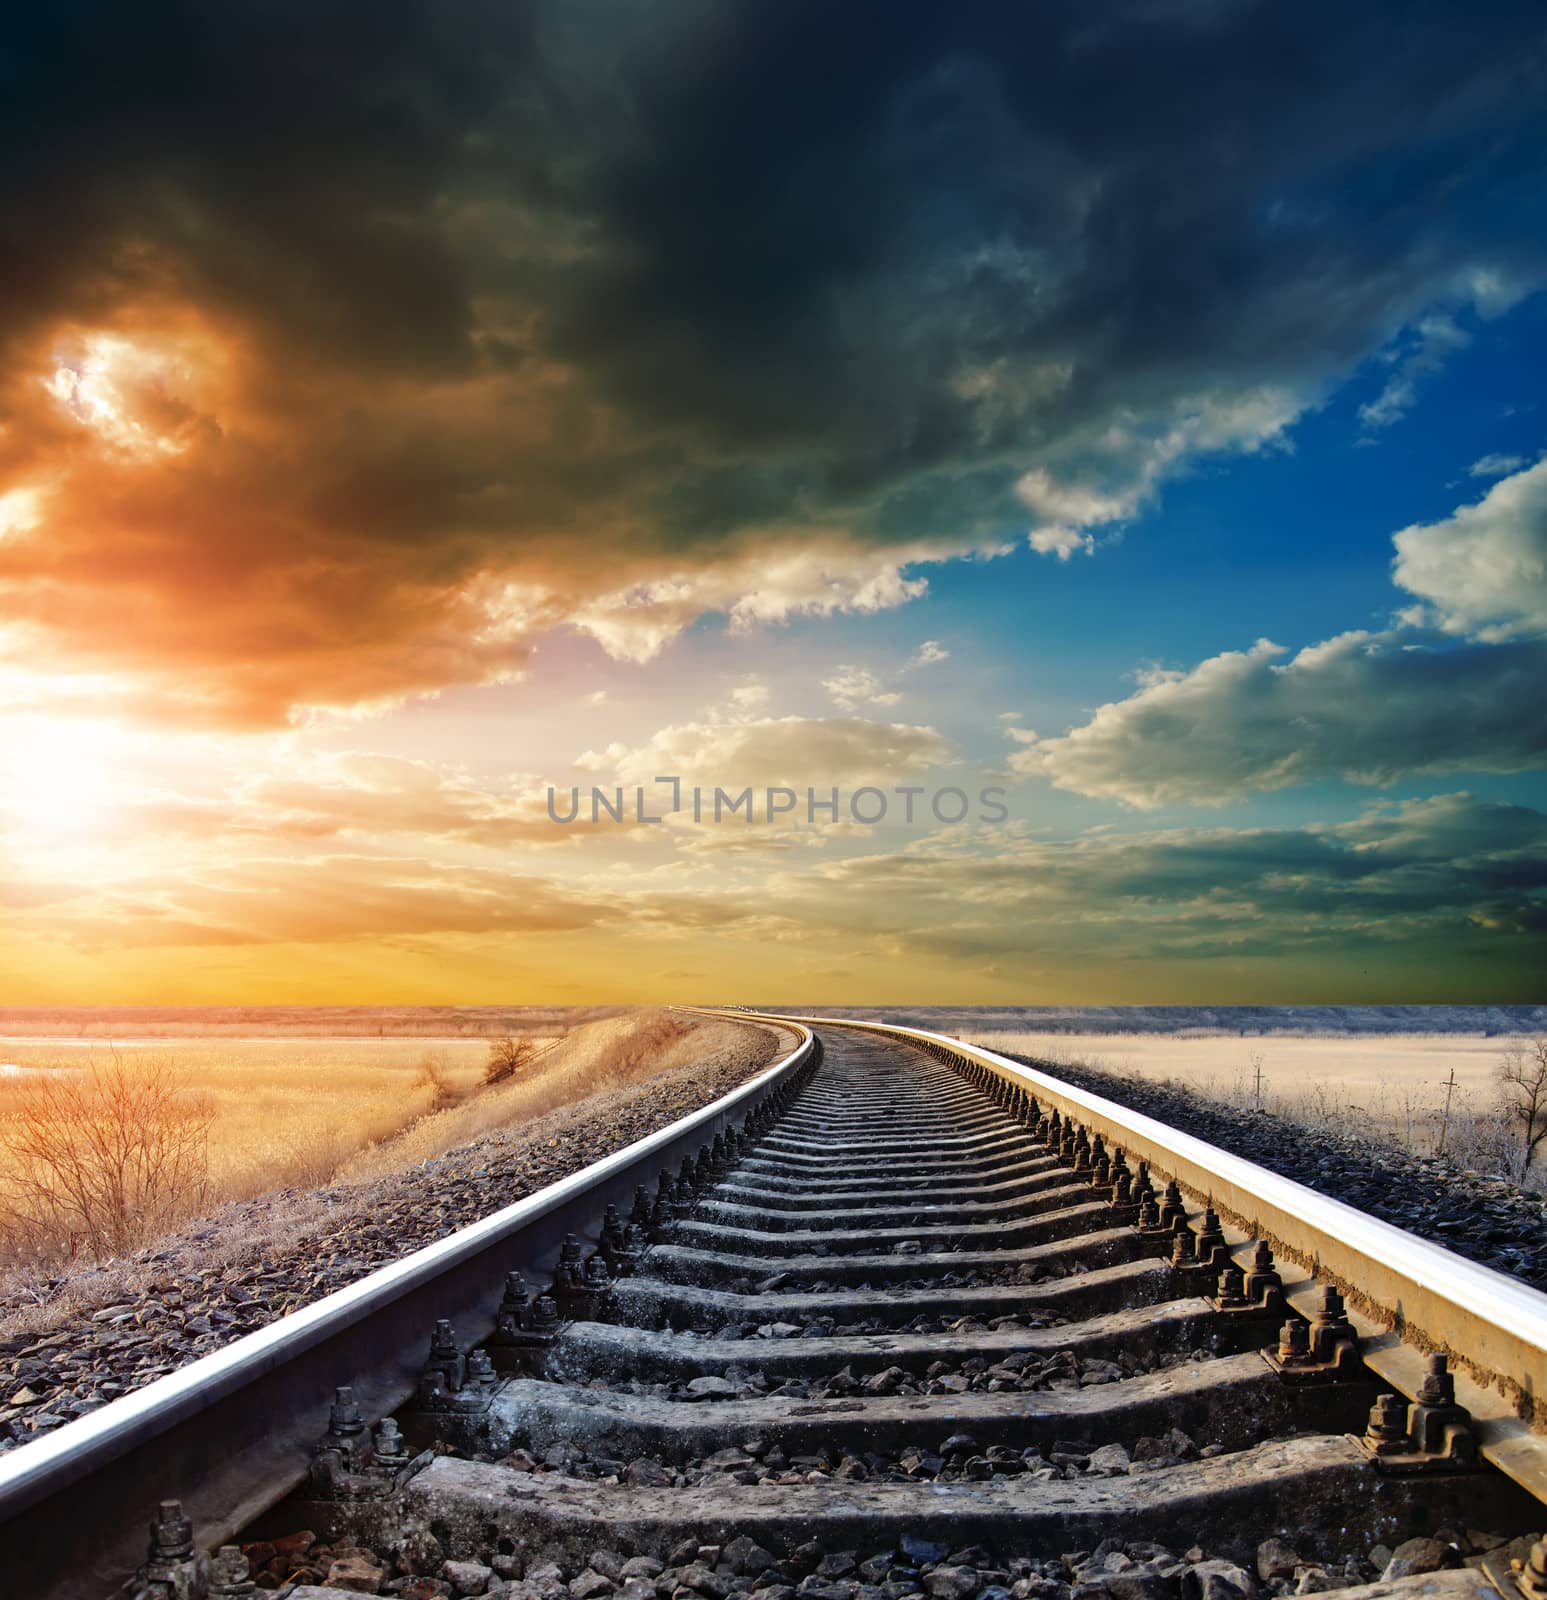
{"x":914,"y":1570}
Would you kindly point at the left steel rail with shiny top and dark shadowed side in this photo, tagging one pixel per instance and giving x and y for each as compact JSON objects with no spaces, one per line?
{"x":231,"y":1434}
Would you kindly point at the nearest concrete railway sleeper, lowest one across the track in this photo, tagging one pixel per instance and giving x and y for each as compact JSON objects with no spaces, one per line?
{"x":1322,"y":1487}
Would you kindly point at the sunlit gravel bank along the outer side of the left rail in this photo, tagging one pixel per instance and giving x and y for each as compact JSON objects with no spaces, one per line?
{"x":71,"y":1345}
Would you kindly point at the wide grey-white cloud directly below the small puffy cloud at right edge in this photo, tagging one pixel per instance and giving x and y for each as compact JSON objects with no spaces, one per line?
{"x":1367,"y":708}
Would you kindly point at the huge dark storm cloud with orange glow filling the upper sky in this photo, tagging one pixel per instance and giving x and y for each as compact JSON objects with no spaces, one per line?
{"x":577,"y":297}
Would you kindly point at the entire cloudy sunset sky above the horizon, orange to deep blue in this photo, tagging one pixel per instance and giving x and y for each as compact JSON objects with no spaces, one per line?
{"x":1127,"y":418}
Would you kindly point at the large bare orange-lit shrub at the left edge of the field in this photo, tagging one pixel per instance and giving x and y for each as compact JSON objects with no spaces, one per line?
{"x":105,"y":1159}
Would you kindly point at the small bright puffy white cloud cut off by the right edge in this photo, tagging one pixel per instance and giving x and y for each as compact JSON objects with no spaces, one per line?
{"x":1484,"y":569}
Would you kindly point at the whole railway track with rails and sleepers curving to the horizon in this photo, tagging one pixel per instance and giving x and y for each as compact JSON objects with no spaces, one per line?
{"x":898,"y":1319}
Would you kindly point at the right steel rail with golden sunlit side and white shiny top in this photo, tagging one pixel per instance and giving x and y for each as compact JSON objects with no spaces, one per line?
{"x":1407,"y":1295}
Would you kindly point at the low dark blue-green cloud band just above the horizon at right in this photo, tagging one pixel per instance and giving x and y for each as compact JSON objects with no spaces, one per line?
{"x":1473,"y":870}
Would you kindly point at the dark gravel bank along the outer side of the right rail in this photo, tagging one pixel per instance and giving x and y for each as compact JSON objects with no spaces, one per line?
{"x":1485,"y":1218}
